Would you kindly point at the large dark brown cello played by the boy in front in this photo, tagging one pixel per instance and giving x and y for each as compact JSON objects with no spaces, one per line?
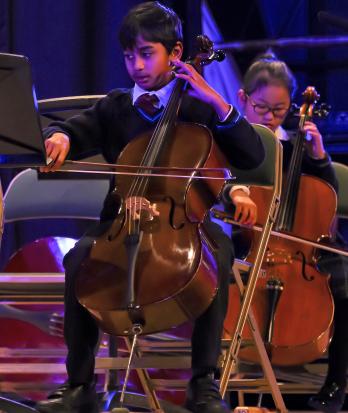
{"x":154,"y":270}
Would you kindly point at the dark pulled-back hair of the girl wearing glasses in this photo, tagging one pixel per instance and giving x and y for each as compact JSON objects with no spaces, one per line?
{"x":267,"y":69}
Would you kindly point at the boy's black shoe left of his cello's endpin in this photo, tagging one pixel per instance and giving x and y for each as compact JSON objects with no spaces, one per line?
{"x":80,"y":399}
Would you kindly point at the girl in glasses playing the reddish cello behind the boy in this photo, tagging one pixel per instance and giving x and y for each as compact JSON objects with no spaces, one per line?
{"x":265,"y":98}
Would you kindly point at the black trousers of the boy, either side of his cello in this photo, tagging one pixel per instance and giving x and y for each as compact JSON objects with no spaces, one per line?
{"x":81,"y":331}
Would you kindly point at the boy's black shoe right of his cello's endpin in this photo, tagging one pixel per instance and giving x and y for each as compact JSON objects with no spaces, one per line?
{"x":203,"y":396}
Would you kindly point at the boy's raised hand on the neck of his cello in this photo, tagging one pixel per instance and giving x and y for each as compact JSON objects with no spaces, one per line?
{"x":201,"y":89}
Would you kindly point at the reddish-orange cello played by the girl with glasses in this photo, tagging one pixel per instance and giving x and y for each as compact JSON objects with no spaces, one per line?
{"x":291,"y":293}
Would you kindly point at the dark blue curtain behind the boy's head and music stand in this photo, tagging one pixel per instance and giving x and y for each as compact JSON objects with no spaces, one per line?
{"x":73,"y":45}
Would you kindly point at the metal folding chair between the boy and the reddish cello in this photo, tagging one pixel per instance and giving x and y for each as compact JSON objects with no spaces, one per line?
{"x":268,"y":175}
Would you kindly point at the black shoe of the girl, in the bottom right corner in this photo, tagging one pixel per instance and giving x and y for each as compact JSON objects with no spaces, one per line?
{"x":330,"y":399}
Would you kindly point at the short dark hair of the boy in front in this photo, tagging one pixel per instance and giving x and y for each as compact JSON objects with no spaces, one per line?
{"x":152,"y":21}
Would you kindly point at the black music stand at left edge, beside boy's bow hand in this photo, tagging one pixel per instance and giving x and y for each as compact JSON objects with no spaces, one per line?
{"x":21,"y":140}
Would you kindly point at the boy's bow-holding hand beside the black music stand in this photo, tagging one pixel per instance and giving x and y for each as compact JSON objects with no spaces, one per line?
{"x":57,"y":148}
